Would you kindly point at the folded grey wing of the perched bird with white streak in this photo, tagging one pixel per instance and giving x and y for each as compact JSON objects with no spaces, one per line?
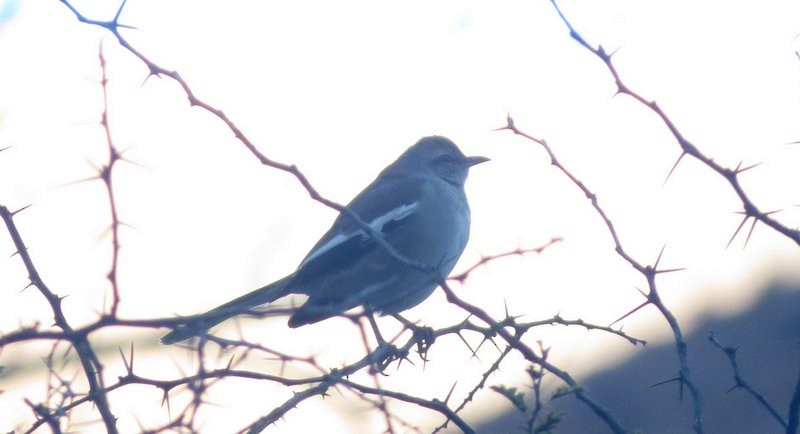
{"x":389,"y":207}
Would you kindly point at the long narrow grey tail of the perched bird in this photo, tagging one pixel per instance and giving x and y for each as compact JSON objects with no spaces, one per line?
{"x":198,"y":324}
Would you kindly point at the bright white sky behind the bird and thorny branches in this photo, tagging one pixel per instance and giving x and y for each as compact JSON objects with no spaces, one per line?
{"x":341,"y":89}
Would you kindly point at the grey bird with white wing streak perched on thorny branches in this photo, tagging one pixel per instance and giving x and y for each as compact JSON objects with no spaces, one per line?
{"x":417,"y":205}
